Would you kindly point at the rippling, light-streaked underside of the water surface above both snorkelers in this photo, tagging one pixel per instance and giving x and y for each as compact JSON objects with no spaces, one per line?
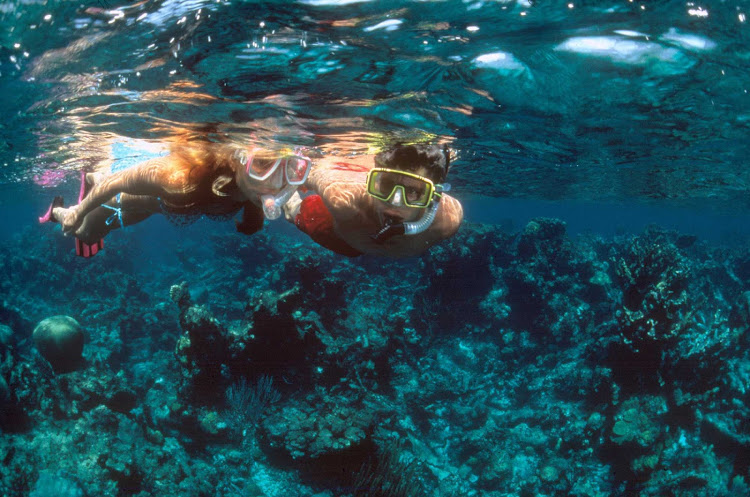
{"x":544,"y":100}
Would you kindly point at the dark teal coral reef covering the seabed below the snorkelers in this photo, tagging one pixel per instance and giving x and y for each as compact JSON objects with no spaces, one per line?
{"x":529,"y":363}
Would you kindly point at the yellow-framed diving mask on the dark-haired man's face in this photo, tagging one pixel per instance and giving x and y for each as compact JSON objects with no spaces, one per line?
{"x":415,"y":190}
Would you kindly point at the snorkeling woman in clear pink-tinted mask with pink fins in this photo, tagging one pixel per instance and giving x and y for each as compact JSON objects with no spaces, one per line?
{"x":194,"y":179}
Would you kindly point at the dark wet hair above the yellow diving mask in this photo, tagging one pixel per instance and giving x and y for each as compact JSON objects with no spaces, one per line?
{"x":434,"y":158}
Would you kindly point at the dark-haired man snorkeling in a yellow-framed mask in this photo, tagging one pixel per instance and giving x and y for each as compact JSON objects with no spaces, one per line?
{"x":393,"y":204}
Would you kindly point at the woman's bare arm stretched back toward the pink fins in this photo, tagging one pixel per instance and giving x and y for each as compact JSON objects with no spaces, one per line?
{"x":155,"y":177}
